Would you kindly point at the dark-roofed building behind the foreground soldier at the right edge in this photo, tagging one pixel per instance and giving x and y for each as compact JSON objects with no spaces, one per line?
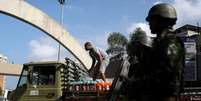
{"x":190,"y":35}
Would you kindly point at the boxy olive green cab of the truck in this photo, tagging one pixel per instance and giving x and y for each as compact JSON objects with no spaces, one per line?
{"x":39,"y":81}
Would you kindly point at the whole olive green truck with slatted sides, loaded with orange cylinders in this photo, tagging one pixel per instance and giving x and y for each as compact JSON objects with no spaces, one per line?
{"x":60,"y":81}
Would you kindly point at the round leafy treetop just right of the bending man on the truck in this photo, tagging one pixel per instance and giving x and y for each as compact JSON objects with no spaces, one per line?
{"x":117,"y":43}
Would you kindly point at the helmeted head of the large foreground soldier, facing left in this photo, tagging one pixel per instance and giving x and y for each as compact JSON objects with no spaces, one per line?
{"x":161,"y":16}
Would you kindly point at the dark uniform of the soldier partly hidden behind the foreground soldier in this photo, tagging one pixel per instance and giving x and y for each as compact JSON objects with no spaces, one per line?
{"x":137,"y":71}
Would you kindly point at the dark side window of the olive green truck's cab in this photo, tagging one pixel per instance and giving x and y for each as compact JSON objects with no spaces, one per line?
{"x":43,"y":75}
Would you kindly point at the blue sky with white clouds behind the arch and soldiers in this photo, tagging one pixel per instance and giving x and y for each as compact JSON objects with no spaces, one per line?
{"x":85,"y":20}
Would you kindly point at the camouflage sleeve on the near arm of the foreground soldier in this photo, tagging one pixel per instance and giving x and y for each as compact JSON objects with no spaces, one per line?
{"x":170,"y":67}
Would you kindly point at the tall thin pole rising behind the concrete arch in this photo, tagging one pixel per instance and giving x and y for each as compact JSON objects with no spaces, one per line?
{"x":61,"y":2}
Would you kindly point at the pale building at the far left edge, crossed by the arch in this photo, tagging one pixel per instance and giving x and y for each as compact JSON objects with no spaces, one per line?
{"x":3,"y":59}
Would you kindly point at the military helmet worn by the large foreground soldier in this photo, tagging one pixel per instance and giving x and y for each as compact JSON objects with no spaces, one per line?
{"x":162,"y":10}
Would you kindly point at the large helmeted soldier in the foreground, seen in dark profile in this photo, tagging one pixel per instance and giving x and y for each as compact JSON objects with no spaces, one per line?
{"x":165,"y":77}
